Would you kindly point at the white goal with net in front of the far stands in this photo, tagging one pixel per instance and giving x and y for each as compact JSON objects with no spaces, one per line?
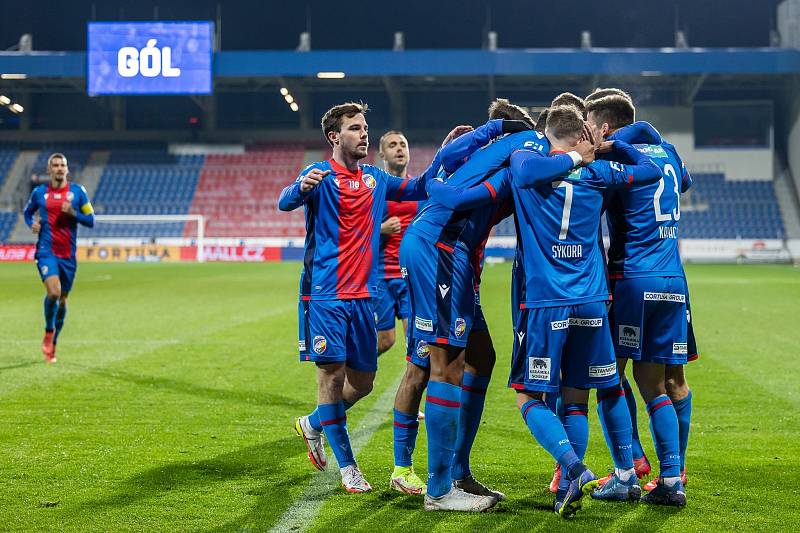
{"x":148,"y":238}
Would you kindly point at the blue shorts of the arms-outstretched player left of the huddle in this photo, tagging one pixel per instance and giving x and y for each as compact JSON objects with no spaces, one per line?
{"x":339,"y":331}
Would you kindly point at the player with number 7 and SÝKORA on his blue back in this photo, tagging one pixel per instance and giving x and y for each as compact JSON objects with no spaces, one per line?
{"x":562,"y":334}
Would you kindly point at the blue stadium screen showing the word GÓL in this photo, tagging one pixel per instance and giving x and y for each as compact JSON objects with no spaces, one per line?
{"x":149,"y":57}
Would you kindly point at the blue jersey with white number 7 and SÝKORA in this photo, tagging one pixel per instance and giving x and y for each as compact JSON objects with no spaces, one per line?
{"x":558,"y":223}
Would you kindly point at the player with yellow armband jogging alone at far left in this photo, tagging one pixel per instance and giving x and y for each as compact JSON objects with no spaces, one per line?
{"x":53,"y":212}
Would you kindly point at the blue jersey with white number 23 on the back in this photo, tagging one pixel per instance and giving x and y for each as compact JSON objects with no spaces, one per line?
{"x":643,"y":221}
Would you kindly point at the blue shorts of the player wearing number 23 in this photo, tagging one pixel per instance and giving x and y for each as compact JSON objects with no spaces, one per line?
{"x":650,"y":320}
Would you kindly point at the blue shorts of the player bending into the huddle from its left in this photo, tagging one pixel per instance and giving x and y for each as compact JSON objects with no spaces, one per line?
{"x":441,"y":291}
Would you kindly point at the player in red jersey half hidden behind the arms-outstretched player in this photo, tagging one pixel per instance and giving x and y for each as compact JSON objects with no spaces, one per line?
{"x":391,"y":302}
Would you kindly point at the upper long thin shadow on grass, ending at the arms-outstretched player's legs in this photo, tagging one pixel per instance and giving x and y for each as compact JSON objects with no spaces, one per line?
{"x":259,"y":398}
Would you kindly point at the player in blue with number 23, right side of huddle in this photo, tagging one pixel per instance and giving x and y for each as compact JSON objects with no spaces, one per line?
{"x":650,"y":298}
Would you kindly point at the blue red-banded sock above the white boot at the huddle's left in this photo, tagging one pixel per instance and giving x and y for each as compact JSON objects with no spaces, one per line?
{"x":442,"y":406}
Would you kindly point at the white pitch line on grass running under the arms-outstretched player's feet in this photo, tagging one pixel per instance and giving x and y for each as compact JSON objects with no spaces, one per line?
{"x":302,"y":512}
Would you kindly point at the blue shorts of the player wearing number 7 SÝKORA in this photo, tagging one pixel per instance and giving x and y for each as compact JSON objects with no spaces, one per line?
{"x":569,"y":346}
